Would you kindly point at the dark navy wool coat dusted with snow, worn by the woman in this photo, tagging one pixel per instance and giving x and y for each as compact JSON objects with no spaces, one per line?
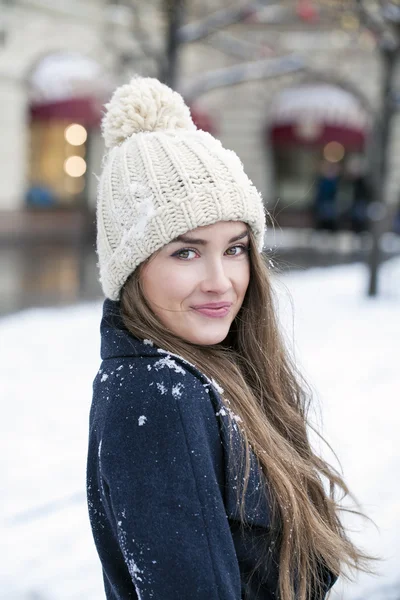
{"x":162,"y":485}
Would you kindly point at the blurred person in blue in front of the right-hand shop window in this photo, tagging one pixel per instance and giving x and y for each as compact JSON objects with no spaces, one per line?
{"x":325,"y":207}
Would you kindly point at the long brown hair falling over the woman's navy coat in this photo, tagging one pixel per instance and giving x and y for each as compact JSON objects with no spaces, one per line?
{"x":266,"y":391}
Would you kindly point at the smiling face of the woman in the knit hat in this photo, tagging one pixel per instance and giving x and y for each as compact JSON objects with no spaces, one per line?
{"x":196,"y":284}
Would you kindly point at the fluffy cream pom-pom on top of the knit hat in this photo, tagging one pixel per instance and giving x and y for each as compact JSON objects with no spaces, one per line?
{"x":143,"y":105}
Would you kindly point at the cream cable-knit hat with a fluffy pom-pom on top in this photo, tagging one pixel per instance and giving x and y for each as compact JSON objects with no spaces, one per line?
{"x":162,"y":177}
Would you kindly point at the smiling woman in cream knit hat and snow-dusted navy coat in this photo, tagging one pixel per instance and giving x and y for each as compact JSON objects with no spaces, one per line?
{"x":201,"y":480}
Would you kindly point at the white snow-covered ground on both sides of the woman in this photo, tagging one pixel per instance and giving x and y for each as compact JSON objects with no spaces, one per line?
{"x":349,"y":347}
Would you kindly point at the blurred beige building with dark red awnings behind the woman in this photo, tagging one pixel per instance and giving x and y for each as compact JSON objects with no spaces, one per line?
{"x":293,"y":87}
